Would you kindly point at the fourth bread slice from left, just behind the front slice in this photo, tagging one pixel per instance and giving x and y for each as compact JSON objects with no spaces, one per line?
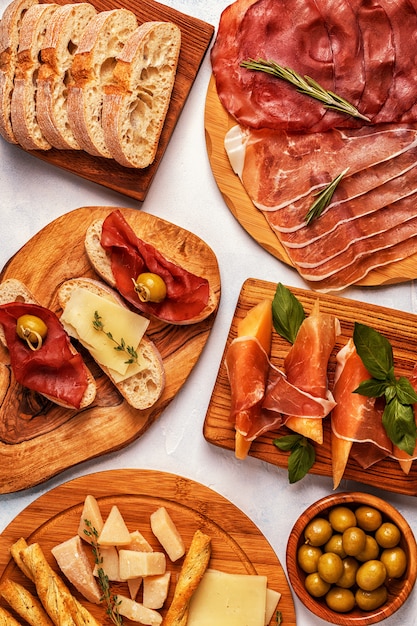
{"x":92,"y":68}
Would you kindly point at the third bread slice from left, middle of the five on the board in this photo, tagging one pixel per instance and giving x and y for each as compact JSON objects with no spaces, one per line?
{"x":62,"y":39}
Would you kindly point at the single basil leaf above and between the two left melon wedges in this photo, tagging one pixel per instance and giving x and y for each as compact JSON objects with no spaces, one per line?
{"x":287,"y":313}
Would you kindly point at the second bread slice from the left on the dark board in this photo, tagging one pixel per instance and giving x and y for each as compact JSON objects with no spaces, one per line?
{"x":23,"y":108}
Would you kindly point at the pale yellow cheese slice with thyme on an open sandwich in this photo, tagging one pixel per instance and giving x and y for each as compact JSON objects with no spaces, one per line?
{"x":120,"y":322}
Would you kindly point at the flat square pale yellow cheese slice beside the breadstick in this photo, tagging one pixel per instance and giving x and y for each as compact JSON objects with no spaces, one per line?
{"x":228,"y":600}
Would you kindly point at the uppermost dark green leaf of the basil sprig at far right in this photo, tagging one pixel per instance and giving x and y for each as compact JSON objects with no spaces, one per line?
{"x":374,"y":350}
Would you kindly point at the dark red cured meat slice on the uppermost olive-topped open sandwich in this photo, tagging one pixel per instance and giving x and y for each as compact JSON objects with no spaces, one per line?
{"x":187,"y":294}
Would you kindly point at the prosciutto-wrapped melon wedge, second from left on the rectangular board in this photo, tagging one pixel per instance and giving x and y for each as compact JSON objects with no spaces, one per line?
{"x":306,"y":365}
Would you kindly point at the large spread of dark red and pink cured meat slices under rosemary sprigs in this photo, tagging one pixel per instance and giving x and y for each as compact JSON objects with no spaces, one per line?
{"x":287,"y":146}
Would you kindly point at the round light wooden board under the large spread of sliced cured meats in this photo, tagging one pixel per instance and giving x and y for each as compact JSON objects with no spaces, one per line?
{"x":217,"y":122}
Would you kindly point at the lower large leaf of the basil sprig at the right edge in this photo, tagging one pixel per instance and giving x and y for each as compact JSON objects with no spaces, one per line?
{"x":398,"y":421}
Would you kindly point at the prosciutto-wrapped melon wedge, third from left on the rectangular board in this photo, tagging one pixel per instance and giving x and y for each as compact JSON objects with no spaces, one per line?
{"x":356,"y":419}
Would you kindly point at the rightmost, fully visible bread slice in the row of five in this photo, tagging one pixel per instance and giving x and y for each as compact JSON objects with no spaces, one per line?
{"x":136,"y":103}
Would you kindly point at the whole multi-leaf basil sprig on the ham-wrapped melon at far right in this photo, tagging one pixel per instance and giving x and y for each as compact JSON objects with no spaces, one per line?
{"x":398,"y":419}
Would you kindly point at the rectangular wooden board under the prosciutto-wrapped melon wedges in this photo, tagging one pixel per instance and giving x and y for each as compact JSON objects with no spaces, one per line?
{"x":396,"y":326}
